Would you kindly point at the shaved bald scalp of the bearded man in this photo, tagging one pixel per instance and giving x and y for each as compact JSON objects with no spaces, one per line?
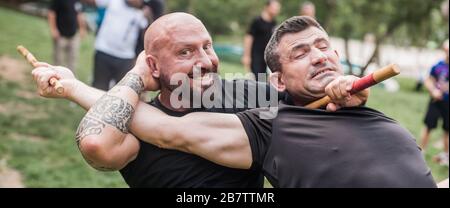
{"x":167,"y":27}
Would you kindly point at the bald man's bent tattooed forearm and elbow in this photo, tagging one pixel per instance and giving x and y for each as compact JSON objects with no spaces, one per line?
{"x":115,"y":109}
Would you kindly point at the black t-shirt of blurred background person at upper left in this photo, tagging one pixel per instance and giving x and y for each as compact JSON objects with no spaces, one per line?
{"x":66,"y":16}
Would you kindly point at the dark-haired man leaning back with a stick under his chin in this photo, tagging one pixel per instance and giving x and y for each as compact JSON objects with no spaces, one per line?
{"x":299,"y":147}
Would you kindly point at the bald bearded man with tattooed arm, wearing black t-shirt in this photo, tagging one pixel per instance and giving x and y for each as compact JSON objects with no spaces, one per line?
{"x":145,"y":165}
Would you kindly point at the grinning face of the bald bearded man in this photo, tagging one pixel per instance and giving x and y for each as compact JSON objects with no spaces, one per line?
{"x":186,"y":47}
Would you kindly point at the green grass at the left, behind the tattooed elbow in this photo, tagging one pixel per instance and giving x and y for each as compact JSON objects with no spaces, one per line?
{"x":53,"y":160}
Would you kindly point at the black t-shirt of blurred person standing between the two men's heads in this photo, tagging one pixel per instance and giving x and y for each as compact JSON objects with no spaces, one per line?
{"x":261,"y":31}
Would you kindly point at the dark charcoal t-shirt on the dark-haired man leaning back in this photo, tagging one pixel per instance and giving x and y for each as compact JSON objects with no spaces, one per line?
{"x":354,"y":147}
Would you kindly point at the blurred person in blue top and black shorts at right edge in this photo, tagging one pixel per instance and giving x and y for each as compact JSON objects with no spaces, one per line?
{"x":437,"y":86}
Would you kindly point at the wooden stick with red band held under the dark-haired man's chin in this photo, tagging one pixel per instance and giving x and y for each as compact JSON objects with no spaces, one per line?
{"x":363,"y":83}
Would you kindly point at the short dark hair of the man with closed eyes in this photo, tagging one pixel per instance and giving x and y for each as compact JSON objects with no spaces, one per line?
{"x":292,"y":25}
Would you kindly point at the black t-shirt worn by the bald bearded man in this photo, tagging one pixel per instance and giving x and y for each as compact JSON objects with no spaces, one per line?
{"x":155,"y":167}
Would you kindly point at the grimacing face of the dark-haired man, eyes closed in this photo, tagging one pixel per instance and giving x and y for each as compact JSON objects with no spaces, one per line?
{"x":308,"y":63}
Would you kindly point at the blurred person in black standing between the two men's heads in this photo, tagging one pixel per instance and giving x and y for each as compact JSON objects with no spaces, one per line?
{"x":257,"y":37}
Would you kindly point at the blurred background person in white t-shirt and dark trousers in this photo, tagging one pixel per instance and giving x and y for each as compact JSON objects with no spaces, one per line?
{"x":116,"y":40}
